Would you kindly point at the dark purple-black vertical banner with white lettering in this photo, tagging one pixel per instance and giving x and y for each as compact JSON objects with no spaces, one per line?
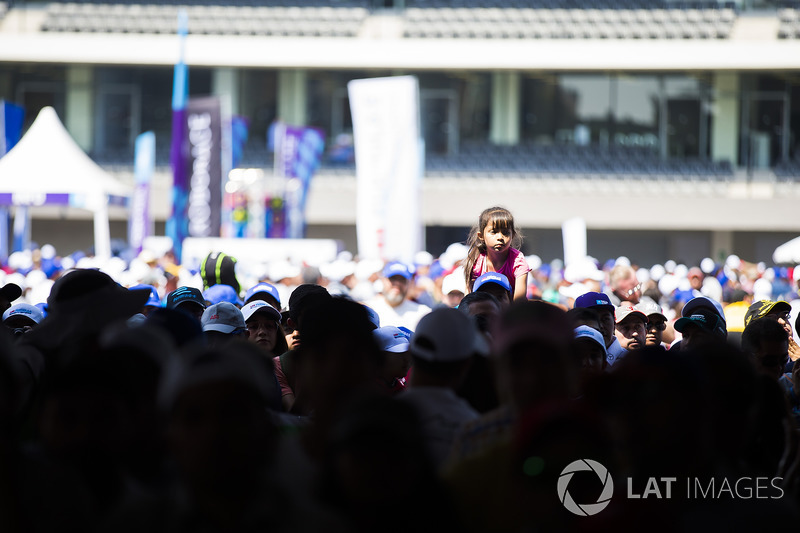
{"x":204,"y":145}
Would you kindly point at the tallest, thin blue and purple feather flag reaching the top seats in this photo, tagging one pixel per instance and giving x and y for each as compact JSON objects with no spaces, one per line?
{"x":177,"y":227}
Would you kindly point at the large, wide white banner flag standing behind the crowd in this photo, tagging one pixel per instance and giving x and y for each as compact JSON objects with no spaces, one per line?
{"x":389,"y":167}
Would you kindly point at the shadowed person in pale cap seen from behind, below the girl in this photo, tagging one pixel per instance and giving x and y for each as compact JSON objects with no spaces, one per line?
{"x":442,"y":347}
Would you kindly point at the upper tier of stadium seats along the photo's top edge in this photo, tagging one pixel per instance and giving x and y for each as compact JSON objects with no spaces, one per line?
{"x":467,"y":19}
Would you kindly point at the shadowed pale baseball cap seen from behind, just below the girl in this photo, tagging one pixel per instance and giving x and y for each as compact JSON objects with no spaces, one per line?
{"x":447,"y":335}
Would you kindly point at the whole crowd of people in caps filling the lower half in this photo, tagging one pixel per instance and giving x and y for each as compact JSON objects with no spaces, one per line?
{"x":451,"y":394}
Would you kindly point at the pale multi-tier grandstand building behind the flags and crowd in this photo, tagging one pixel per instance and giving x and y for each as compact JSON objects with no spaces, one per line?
{"x":672,"y":128}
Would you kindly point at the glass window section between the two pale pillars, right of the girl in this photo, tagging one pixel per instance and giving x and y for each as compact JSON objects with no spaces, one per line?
{"x":622,"y":110}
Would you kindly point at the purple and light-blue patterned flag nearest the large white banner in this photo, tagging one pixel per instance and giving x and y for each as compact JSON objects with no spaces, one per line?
{"x":297,"y":156}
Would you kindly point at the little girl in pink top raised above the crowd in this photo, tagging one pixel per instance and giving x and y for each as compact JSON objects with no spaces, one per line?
{"x":494,"y":247}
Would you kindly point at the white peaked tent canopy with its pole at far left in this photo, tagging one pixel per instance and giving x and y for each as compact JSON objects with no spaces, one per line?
{"x":47,"y":167}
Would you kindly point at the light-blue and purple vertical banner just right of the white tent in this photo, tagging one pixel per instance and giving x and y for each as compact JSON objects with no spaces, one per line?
{"x":143,"y":167}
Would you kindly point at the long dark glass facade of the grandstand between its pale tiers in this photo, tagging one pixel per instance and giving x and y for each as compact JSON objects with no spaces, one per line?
{"x":672,"y":115}
